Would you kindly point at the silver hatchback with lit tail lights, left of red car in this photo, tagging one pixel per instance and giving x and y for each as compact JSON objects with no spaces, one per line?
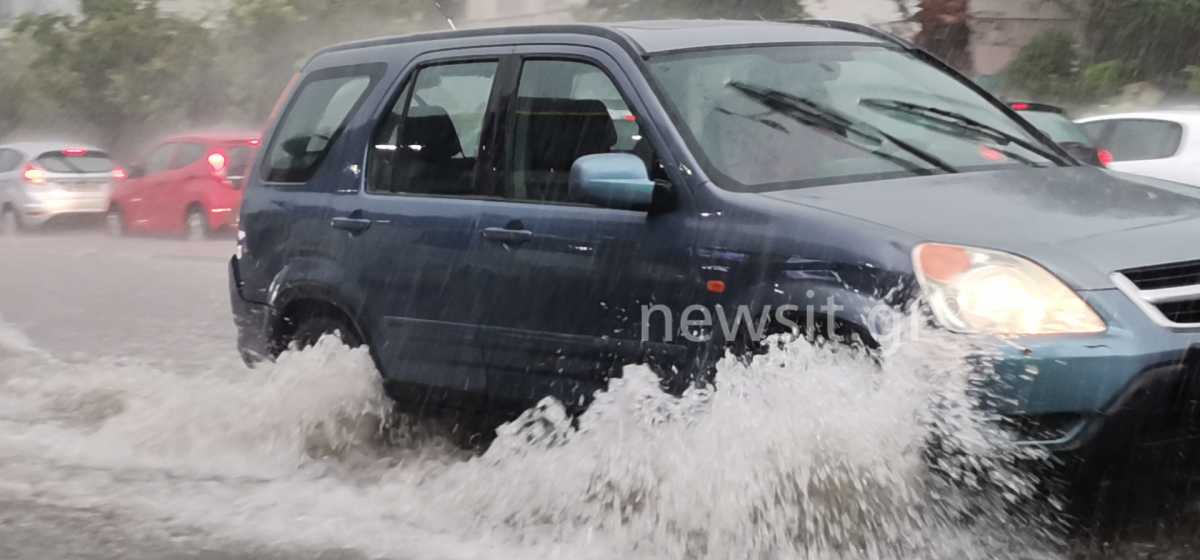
{"x":43,"y":182}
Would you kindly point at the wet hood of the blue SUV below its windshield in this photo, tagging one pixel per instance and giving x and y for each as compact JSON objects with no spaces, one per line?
{"x":1083,"y":224}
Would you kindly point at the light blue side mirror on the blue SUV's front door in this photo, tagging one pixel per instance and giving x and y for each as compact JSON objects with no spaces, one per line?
{"x":611,"y":180}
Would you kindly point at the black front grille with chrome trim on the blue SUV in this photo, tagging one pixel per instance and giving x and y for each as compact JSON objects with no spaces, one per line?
{"x":1171,"y":294}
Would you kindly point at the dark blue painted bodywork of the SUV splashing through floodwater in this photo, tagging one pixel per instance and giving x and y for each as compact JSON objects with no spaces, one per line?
{"x":503,"y":303}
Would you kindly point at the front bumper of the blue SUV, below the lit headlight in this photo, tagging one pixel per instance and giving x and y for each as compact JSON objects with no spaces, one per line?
{"x":1130,"y":396}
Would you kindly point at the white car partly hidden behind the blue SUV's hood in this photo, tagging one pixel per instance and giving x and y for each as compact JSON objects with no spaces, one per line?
{"x":1157,"y":144}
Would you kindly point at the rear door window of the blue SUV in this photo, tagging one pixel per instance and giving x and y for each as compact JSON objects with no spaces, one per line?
{"x":429,"y":143}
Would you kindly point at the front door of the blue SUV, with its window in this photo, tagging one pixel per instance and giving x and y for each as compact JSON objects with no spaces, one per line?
{"x":568,"y":284}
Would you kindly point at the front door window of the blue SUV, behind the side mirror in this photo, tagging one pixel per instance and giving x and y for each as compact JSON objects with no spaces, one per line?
{"x":566,"y":111}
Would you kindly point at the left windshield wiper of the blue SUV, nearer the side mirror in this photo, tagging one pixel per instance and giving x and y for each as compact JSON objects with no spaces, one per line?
{"x":812,"y":113}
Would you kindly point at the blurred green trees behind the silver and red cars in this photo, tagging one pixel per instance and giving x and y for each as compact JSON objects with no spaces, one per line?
{"x":125,"y":71}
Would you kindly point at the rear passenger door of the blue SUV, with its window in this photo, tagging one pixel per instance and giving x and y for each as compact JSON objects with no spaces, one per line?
{"x":415,"y":224}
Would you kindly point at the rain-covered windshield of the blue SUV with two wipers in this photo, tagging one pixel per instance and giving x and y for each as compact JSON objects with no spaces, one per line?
{"x":775,"y":118}
